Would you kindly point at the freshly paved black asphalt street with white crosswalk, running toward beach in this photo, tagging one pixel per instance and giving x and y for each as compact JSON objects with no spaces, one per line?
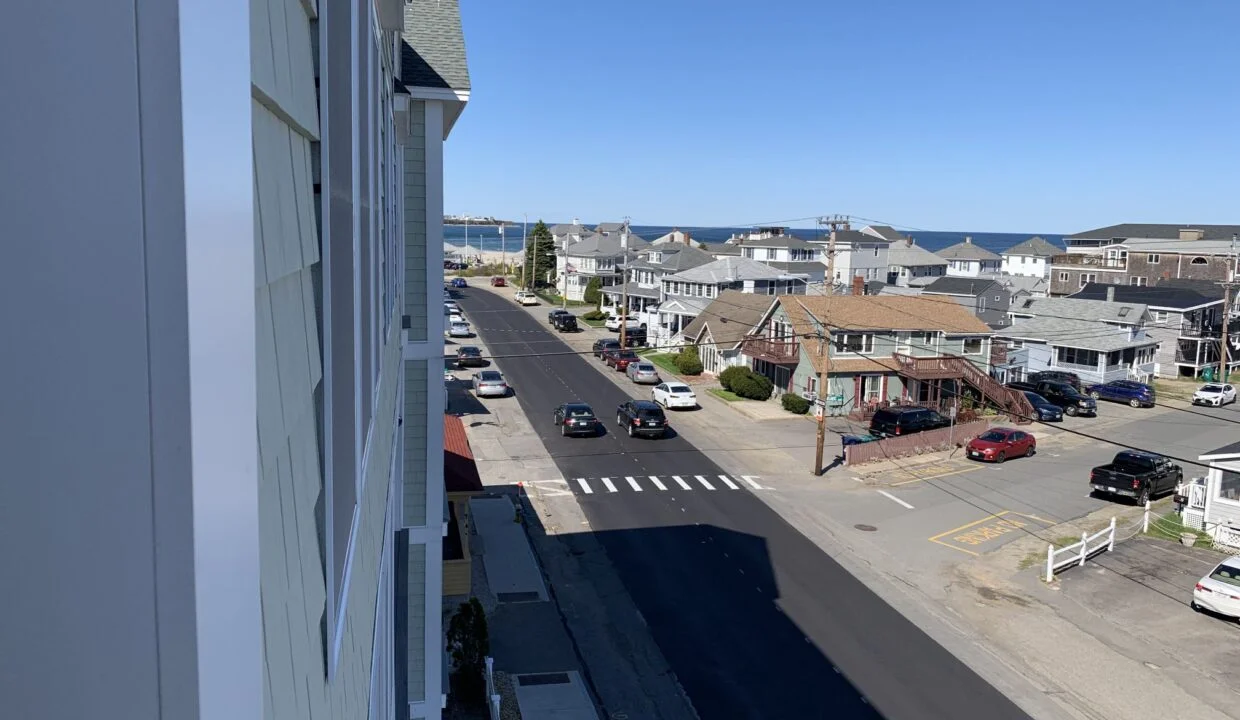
{"x":753,"y":618}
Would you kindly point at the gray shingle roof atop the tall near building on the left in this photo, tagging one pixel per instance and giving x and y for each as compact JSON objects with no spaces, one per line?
{"x":433,"y":46}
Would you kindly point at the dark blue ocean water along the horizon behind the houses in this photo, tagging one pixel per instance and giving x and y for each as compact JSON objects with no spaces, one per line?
{"x":488,"y":239}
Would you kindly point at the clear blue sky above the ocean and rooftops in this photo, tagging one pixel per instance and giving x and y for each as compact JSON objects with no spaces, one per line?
{"x":986,"y":116}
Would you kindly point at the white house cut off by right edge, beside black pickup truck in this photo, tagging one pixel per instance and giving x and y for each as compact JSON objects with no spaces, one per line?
{"x":1213,"y":503}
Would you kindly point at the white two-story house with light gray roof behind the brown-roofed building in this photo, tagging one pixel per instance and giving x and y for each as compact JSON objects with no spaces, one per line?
{"x":686,"y":294}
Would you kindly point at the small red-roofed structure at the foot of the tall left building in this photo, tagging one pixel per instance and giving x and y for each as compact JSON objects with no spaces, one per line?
{"x":462,"y":483}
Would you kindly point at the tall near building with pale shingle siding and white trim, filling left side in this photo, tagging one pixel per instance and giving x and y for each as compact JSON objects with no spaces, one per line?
{"x":242,"y":517}
